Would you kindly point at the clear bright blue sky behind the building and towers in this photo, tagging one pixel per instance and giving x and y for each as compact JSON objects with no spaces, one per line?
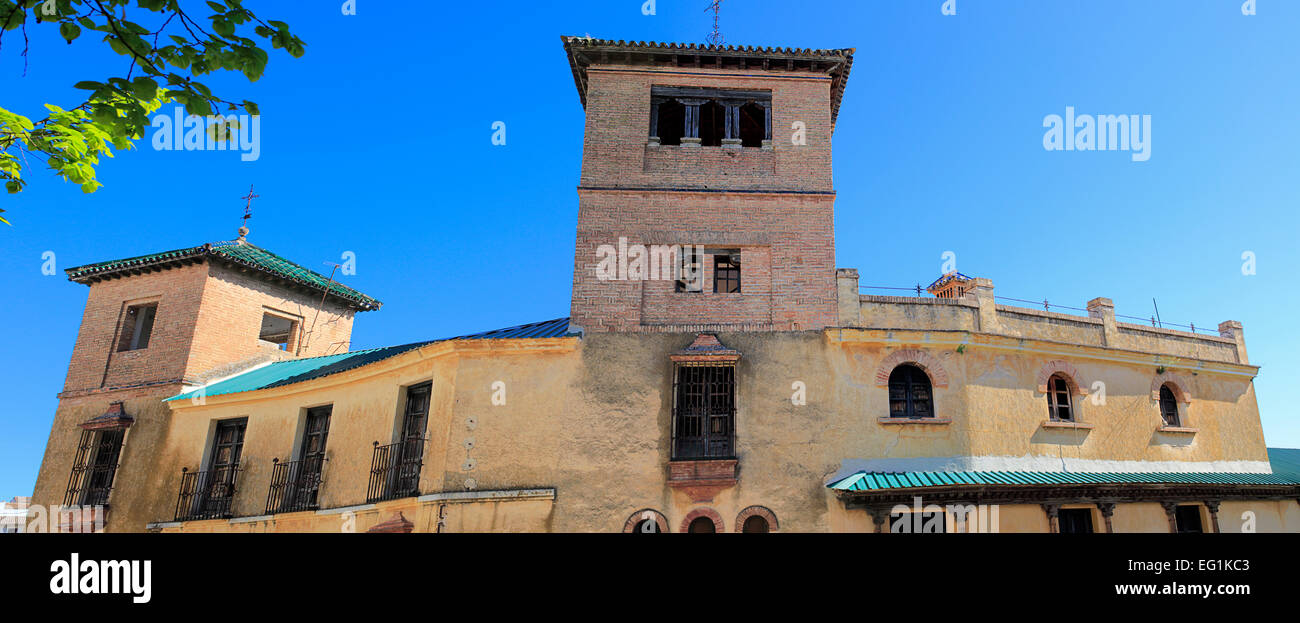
{"x":379,"y":142}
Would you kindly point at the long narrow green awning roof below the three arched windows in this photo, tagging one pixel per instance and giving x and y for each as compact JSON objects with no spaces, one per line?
{"x":868,"y":482}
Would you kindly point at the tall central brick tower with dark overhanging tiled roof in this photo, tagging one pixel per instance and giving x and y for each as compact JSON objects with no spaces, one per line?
{"x":723,"y":153}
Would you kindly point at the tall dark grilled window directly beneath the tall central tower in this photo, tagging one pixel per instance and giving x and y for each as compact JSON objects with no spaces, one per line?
{"x":705,"y":413}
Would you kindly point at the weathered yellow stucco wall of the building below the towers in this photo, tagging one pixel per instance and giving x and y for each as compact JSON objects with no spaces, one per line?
{"x":591,"y":418}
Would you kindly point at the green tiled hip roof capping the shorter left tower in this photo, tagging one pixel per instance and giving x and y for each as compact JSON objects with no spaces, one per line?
{"x":241,"y":253}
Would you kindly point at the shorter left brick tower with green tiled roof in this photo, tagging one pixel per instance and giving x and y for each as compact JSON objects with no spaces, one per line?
{"x":161,"y":325}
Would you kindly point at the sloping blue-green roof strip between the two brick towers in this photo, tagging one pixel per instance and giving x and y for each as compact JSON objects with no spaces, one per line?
{"x":281,"y":374}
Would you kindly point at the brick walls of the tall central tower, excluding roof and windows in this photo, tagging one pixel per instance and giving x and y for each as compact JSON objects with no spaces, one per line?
{"x":775,"y":205}
